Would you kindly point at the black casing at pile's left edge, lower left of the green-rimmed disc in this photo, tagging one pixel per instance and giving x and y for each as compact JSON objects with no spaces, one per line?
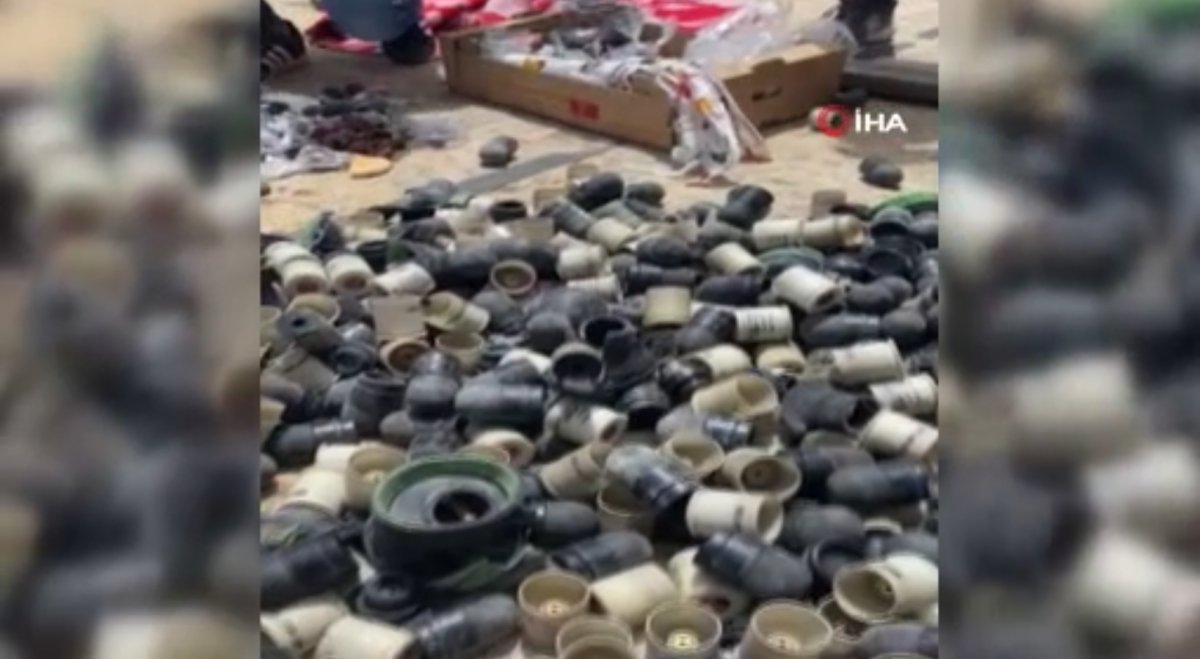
{"x":304,"y":571}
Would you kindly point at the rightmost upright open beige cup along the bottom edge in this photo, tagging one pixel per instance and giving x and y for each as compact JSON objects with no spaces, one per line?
{"x":787,"y":631}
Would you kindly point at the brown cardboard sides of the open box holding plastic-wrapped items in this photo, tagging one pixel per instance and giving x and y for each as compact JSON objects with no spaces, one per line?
{"x":771,"y":91}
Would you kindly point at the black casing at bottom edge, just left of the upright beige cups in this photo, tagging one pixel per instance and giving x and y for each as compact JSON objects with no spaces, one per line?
{"x":469,"y":631}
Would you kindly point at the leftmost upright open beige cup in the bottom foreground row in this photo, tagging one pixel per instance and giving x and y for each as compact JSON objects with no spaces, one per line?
{"x":549,"y":601}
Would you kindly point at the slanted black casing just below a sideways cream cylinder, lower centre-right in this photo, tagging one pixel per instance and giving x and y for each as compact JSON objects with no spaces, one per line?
{"x":761,"y":571}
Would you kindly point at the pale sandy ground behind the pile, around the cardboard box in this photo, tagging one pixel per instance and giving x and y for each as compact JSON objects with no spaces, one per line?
{"x":803,"y":161}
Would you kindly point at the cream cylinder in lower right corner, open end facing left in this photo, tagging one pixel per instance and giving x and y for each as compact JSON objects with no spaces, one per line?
{"x":899,"y":586}
